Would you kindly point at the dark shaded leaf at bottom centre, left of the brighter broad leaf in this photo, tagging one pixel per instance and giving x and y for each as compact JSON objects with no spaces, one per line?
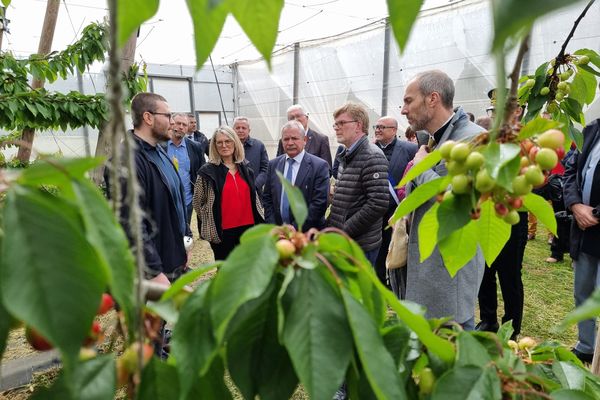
{"x":257,"y":362}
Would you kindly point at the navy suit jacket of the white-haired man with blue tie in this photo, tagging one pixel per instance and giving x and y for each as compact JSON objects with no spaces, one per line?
{"x":313,"y":182}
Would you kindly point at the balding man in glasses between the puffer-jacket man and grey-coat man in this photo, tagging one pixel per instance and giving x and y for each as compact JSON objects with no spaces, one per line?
{"x":398,"y":154}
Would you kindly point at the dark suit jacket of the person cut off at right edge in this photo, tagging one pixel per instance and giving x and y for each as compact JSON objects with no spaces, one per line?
{"x":583,"y":241}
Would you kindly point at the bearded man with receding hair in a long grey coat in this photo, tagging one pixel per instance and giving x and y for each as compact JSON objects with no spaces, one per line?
{"x":428,"y":106}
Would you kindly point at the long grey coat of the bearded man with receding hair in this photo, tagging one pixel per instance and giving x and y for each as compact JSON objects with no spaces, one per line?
{"x":428,"y":282}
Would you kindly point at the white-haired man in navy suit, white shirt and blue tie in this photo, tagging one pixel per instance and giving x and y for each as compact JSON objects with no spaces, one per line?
{"x":307,"y":172}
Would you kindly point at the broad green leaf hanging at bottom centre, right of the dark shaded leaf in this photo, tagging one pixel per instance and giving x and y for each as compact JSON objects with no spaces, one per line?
{"x":317,"y":335}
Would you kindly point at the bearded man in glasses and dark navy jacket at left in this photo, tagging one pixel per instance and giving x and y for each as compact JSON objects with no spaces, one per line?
{"x":161,"y":192}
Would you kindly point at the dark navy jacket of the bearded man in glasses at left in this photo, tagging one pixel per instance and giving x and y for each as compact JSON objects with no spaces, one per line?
{"x":163,"y":241}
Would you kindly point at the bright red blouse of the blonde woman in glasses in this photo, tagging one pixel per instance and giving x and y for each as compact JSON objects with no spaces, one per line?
{"x":236,"y":203}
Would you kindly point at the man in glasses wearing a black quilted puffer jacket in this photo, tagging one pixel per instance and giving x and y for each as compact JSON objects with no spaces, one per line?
{"x":361,"y":191}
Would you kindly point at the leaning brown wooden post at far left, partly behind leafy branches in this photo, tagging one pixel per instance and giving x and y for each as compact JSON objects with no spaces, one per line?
{"x":44,"y":48}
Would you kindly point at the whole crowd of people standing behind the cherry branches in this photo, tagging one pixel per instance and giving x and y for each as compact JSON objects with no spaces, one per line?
{"x":232,"y":185}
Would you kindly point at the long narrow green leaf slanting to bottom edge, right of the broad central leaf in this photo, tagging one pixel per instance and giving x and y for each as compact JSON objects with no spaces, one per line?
{"x":378,"y":364}
